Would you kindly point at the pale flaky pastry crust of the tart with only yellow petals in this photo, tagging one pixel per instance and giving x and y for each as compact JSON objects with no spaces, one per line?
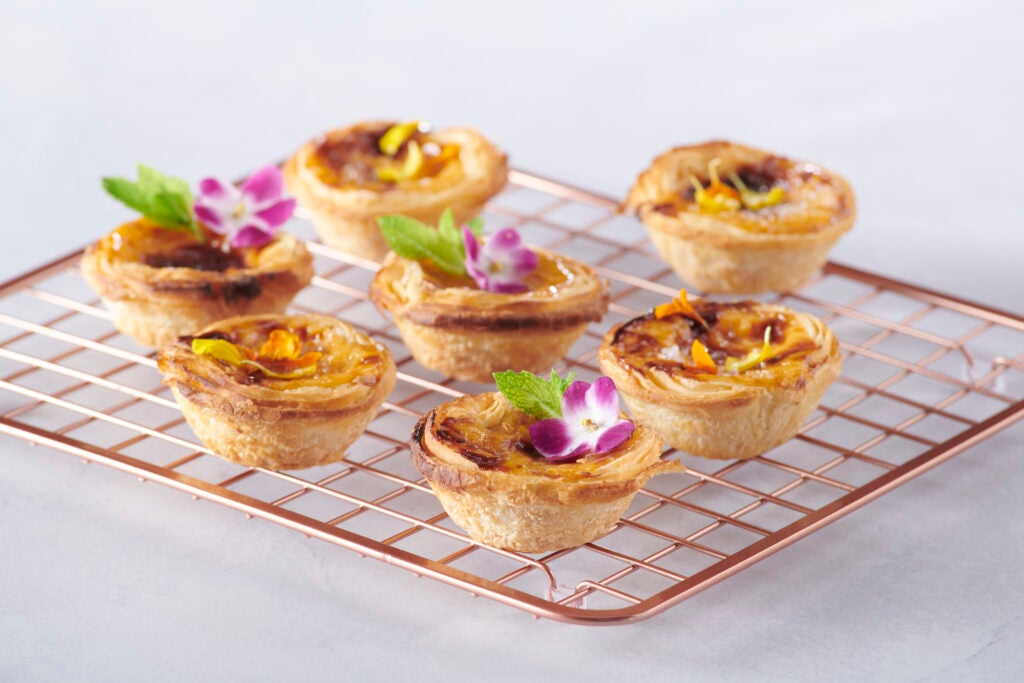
{"x":346,"y":215}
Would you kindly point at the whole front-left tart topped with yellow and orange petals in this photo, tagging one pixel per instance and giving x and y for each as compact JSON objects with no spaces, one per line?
{"x":300,"y":393}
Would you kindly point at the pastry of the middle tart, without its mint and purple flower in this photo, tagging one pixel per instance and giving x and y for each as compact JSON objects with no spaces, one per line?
{"x":467,"y":333}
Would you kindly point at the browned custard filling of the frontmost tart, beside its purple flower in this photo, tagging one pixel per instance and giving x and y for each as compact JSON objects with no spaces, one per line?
{"x":501,"y":442}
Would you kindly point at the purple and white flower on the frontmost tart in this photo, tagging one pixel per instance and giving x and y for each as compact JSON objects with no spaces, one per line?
{"x":590,"y":423}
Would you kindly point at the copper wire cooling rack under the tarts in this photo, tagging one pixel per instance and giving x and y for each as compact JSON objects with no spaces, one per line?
{"x":926,"y":376}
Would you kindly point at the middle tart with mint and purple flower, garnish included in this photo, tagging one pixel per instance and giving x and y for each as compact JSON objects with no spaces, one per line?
{"x":470,"y":307}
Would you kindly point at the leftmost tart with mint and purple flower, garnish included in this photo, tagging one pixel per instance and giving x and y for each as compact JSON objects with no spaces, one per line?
{"x":190,"y":262}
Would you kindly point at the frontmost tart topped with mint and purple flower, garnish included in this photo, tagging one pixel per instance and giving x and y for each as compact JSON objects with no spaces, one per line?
{"x":540,"y":465}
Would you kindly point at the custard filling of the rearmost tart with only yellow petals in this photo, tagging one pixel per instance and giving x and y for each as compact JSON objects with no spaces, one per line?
{"x":356,"y":160}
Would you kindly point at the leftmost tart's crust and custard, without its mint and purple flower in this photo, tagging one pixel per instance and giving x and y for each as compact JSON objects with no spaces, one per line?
{"x":161,"y":284}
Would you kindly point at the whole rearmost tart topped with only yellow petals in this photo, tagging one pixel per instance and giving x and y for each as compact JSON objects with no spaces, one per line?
{"x":349,"y":178}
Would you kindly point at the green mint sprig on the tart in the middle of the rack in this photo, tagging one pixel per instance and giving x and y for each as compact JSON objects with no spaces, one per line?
{"x":419,"y":242}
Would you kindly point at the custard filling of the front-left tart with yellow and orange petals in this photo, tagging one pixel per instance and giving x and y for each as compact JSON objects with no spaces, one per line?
{"x":342,"y":362}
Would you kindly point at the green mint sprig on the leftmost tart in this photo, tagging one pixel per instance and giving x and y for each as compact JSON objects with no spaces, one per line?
{"x":165,"y":201}
